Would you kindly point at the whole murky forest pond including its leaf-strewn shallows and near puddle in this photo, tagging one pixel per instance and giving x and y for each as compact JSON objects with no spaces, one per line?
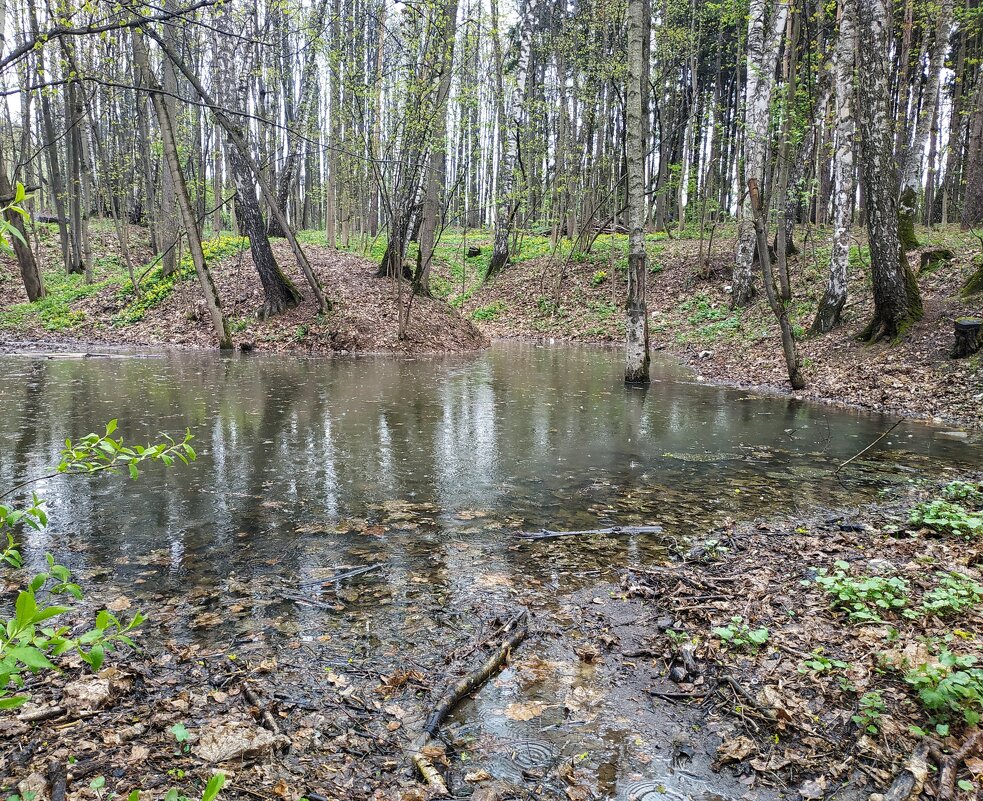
{"x":427,"y":469}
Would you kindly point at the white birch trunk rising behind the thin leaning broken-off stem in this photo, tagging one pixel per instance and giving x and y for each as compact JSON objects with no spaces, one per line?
{"x":763,"y":39}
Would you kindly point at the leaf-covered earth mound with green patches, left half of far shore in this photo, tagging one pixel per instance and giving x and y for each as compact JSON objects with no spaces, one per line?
{"x":363,"y":318}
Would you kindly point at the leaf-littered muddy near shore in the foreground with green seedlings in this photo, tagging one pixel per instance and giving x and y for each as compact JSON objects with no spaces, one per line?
{"x":802,"y":657}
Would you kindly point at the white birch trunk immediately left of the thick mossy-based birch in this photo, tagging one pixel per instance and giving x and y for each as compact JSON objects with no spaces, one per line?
{"x":834,"y":298}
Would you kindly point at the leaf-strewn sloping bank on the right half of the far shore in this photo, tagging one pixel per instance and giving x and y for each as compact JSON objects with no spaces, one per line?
{"x":691,"y":318}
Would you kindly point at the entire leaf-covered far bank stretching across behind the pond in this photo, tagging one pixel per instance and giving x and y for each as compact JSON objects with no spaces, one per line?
{"x":549,"y":294}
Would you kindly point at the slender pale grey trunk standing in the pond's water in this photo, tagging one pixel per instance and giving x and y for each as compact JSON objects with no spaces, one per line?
{"x":636,"y":324}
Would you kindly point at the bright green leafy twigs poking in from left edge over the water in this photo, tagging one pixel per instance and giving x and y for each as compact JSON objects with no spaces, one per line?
{"x":31,"y":638}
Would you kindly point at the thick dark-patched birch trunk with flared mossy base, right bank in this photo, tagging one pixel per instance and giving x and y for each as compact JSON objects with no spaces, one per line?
{"x":897,"y":302}
